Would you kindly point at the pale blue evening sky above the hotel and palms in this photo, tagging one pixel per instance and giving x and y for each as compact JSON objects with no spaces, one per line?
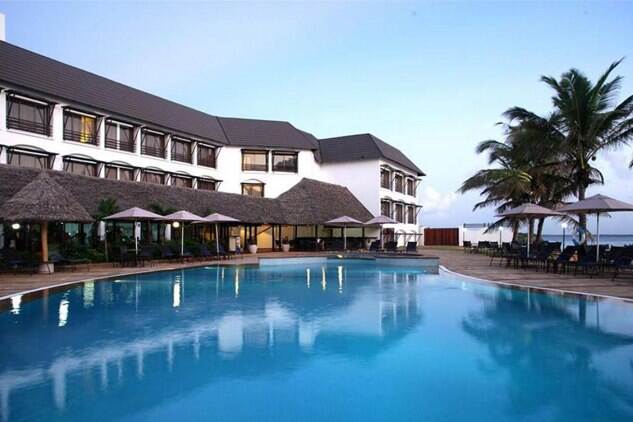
{"x":431,"y":78}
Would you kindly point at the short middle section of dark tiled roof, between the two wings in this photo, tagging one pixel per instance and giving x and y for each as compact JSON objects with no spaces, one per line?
{"x":265,"y":133}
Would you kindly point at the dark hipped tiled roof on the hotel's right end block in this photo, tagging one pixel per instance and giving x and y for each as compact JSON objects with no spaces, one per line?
{"x":363,"y":147}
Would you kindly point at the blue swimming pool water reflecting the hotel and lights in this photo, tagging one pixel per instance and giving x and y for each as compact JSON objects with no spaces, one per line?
{"x":344,"y":341}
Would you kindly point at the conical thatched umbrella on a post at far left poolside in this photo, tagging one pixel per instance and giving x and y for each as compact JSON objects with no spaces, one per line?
{"x":42,"y":201}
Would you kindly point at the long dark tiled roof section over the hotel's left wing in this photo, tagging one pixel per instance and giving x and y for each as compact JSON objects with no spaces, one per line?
{"x":41,"y":74}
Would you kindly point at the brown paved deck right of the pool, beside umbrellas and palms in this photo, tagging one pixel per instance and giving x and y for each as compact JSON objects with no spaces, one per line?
{"x":479,"y":266}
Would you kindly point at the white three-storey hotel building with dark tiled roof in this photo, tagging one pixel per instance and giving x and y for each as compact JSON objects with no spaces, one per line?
{"x":56,"y":116}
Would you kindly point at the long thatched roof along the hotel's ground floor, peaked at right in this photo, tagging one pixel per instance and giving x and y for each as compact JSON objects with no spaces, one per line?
{"x":308,"y":202}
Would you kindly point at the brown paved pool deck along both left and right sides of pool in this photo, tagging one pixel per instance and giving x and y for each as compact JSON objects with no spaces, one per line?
{"x":451,"y":258}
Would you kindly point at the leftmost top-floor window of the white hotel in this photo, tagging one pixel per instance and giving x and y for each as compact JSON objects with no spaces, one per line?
{"x":28,"y":115}
